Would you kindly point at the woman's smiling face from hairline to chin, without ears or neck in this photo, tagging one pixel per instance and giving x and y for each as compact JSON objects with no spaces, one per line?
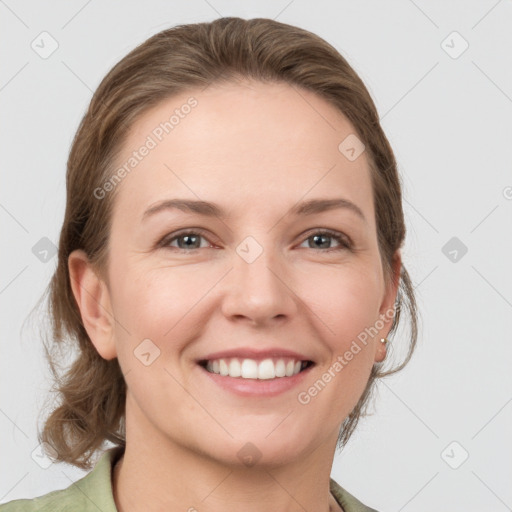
{"x":258,"y":278}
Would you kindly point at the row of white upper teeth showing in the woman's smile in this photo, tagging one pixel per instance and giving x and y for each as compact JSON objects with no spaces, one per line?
{"x":252,"y":369}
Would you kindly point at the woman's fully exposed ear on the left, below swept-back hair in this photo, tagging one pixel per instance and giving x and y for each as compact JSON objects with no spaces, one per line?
{"x":93,"y":299}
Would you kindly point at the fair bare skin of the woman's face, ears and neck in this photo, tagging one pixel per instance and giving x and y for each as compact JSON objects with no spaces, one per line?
{"x":256,"y":150}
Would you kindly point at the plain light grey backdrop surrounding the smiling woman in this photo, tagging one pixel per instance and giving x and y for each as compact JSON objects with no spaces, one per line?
{"x":449,"y":122}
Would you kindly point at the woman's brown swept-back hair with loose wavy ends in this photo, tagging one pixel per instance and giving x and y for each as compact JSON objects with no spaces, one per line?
{"x":92,"y":390}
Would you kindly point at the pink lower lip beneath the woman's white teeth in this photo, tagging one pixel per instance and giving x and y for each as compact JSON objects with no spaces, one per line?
{"x":257,"y":387}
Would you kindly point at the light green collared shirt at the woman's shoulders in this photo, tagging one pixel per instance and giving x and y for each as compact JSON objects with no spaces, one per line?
{"x":93,"y":493}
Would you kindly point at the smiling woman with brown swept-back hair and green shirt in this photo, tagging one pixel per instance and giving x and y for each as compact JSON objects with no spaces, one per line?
{"x":230,"y":271}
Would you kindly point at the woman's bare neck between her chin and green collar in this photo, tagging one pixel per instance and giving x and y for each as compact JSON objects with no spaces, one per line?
{"x":155,"y":473}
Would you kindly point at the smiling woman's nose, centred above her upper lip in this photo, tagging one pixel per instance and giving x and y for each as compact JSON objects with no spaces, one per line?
{"x":258,"y":290}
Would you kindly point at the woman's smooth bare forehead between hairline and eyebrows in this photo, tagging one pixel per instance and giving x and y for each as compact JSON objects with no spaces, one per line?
{"x":240,"y":144}
